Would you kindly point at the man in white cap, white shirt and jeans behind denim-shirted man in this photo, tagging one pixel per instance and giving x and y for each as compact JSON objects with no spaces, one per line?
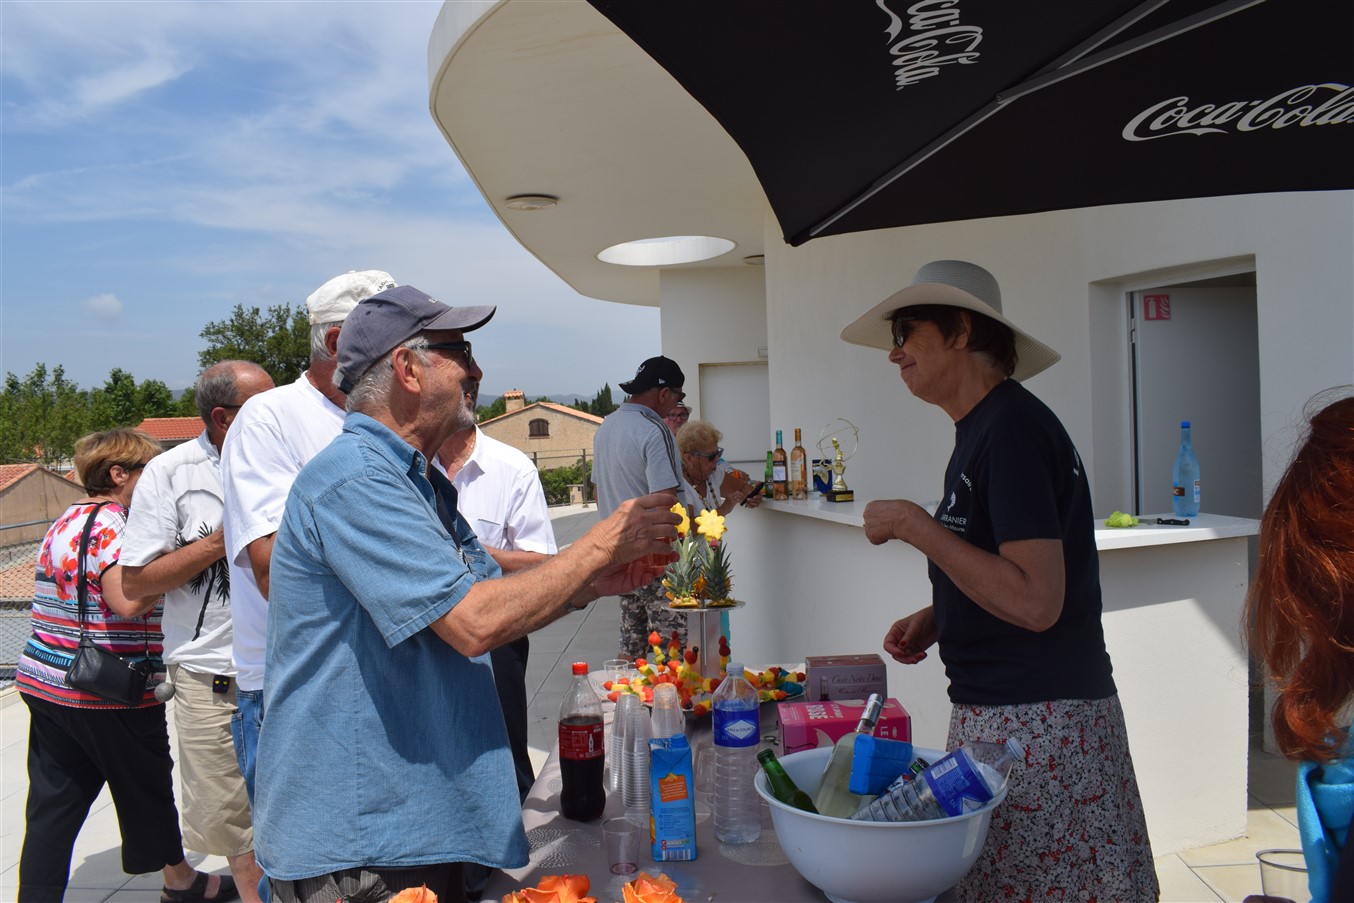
{"x":276,"y":435}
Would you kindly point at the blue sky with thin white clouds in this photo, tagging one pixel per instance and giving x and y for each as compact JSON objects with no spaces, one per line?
{"x":165,"y":162}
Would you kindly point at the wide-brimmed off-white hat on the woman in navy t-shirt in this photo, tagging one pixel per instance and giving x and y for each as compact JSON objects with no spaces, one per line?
{"x":955,"y":284}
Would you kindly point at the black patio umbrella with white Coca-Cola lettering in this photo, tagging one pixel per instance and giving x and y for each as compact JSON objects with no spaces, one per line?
{"x":869,"y":114}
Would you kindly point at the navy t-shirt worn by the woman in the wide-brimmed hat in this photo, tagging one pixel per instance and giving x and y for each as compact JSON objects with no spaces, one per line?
{"x":1015,"y":475}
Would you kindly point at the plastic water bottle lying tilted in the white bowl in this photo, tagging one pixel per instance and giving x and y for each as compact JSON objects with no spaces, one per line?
{"x":963,"y":782}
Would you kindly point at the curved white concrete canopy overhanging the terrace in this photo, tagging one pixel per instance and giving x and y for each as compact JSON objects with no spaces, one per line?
{"x":553,"y":100}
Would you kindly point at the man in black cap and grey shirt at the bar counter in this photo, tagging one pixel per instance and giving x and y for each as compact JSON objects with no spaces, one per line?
{"x":636,"y":454}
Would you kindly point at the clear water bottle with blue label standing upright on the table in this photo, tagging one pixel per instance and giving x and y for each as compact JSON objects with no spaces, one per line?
{"x":737,"y":733}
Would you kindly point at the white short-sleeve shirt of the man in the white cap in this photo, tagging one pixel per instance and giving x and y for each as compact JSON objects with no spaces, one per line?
{"x":274,"y":437}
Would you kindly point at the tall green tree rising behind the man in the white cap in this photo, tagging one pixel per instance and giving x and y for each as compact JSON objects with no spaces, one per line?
{"x":278,"y":340}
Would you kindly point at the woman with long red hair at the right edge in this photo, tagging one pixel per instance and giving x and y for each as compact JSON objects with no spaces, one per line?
{"x":1302,"y":615}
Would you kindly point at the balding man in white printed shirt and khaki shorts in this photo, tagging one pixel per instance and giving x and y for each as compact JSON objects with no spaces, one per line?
{"x":174,"y":546}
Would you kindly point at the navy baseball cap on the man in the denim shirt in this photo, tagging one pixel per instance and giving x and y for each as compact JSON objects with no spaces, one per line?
{"x":395,"y":316}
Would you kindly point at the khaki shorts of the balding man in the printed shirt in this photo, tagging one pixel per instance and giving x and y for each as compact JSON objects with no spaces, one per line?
{"x":212,"y":793}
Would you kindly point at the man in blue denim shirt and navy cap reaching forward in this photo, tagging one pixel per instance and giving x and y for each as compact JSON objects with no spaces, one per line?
{"x":383,"y":715}
